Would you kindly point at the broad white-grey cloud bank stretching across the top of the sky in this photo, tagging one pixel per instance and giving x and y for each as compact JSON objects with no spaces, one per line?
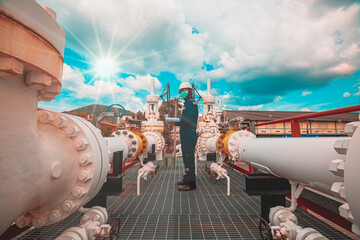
{"x":279,"y":45}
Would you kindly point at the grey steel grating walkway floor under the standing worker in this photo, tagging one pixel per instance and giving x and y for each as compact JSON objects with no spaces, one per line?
{"x":162,"y":212}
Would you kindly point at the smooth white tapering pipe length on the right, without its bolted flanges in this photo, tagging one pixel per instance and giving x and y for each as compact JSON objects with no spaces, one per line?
{"x":305,"y":160}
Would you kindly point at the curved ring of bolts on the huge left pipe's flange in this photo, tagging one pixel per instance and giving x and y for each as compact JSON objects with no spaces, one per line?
{"x":84,"y":154}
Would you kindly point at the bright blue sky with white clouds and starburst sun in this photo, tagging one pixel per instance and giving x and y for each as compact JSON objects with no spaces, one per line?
{"x":281,"y":55}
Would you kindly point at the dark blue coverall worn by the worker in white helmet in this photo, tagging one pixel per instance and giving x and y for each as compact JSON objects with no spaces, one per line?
{"x":188,"y":138}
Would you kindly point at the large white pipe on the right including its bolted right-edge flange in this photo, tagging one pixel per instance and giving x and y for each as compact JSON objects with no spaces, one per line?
{"x":327,"y":164}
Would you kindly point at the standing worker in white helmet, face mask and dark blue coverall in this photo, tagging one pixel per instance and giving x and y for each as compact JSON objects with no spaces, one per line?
{"x":188,"y":137}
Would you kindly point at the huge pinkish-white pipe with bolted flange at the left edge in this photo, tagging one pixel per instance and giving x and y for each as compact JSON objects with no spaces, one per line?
{"x":50,"y":163}
